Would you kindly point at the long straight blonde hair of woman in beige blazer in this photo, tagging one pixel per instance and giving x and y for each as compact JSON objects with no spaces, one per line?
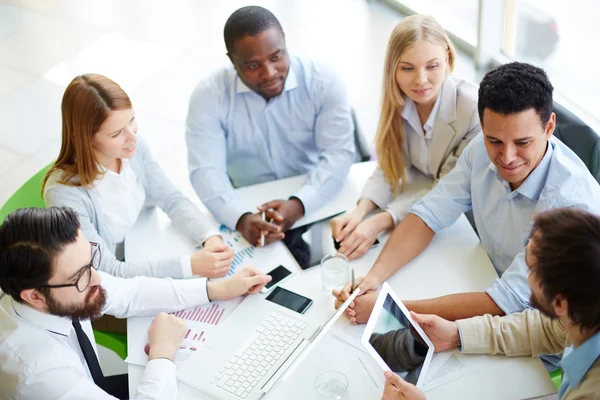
{"x":390,"y":131}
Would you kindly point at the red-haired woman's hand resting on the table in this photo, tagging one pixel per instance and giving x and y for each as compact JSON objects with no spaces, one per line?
{"x":214,"y":260}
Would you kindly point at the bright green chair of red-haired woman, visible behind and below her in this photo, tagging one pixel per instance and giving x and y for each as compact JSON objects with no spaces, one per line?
{"x":30,"y":195}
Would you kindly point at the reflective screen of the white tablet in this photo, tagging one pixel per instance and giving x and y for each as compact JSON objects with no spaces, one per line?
{"x":394,"y":338}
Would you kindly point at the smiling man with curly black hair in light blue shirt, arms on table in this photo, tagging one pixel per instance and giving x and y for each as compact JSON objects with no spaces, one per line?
{"x":513,"y":172}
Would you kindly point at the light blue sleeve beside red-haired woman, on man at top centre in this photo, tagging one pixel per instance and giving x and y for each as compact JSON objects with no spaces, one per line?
{"x":207,"y":154}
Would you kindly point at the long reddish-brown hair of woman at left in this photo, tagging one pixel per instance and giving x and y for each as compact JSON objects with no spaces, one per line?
{"x":86,"y":104}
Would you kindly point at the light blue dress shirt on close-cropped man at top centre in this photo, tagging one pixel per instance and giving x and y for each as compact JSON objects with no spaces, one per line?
{"x":234,"y":133}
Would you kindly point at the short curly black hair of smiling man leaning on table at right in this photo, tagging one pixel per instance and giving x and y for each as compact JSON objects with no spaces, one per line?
{"x":516,"y":87}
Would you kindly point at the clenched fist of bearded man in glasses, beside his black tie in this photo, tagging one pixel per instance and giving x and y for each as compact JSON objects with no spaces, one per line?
{"x":165,"y":336}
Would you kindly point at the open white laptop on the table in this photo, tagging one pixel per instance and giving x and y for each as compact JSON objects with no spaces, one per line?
{"x":253,"y":349}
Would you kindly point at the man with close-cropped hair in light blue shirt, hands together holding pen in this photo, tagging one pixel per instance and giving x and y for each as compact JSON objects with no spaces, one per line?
{"x":267,"y":117}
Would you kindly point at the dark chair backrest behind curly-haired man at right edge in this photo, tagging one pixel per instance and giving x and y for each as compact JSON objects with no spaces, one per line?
{"x":579,"y":137}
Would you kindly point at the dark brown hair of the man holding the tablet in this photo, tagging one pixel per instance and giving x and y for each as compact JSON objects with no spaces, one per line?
{"x":567,"y":253}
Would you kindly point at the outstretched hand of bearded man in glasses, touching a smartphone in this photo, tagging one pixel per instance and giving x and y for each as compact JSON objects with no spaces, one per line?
{"x":247,"y":281}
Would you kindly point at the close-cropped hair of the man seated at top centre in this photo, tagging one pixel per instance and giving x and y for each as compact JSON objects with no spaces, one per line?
{"x":248,"y":21}
